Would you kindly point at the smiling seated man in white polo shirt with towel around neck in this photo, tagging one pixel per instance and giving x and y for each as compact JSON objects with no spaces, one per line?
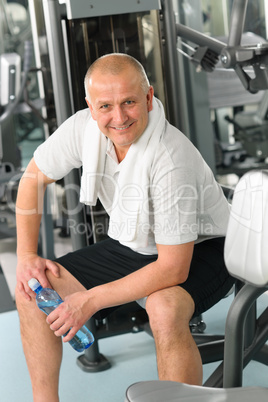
{"x":168,"y":218}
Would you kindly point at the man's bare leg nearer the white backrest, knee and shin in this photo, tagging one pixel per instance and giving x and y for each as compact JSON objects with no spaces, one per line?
{"x":178,"y":358}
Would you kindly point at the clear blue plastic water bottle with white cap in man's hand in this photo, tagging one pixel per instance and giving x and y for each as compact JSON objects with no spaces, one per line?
{"x":48,"y":300}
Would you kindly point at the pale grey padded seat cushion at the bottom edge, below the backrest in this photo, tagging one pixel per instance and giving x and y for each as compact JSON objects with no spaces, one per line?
{"x":169,"y":391}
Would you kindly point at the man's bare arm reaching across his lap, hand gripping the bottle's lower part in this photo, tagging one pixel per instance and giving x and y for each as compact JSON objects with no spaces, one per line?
{"x":170,"y":269}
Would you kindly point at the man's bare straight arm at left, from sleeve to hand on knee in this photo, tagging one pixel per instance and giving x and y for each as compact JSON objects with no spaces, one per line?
{"x":29,"y":209}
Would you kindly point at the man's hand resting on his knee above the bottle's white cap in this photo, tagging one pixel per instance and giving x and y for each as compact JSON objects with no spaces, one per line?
{"x":32,"y":266}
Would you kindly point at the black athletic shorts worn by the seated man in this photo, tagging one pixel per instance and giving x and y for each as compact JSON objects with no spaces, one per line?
{"x":106,"y":261}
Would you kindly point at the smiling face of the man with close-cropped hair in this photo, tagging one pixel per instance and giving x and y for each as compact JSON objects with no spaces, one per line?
{"x":120,"y":106}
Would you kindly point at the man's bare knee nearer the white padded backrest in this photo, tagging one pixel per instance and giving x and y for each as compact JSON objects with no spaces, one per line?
{"x":169,"y":309}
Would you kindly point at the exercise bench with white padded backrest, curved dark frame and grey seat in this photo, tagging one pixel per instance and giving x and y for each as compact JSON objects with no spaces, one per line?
{"x":246,"y":259}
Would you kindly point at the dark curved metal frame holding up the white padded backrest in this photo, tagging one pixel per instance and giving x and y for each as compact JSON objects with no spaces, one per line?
{"x":244,"y":340}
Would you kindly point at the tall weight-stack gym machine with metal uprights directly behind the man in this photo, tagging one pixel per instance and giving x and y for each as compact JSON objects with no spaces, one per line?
{"x":78,"y":33}
